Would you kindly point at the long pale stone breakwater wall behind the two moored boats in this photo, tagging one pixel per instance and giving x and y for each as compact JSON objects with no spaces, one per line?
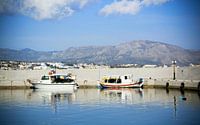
{"x":186,"y":77}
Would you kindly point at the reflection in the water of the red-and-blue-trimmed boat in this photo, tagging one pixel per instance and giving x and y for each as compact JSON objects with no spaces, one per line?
{"x":122,"y":95}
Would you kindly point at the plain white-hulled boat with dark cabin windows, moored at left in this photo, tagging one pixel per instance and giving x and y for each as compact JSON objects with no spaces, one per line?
{"x":54,"y":81}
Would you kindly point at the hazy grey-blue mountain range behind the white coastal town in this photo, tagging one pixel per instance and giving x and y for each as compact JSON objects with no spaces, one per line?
{"x":136,"y":52}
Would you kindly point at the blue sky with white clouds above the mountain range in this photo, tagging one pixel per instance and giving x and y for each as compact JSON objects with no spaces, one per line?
{"x":49,"y":25}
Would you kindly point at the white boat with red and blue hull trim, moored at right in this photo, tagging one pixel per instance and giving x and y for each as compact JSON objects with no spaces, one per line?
{"x":126,"y":81}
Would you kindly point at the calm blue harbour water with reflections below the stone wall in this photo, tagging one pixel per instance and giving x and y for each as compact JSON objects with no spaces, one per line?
{"x":99,"y":107}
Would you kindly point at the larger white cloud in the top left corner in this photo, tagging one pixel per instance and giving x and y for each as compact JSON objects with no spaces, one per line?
{"x":42,"y":9}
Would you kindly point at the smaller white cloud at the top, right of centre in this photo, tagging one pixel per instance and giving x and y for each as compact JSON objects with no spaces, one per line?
{"x":128,"y":6}
